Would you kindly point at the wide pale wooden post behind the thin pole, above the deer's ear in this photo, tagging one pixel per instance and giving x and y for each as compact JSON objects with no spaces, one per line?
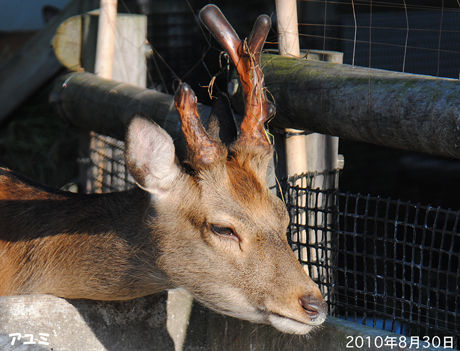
{"x":128,"y":65}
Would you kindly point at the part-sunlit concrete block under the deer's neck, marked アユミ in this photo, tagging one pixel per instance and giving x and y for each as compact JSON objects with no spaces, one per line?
{"x":44,"y":322}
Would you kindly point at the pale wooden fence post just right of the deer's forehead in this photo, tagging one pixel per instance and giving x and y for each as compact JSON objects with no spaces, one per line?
{"x":307,"y":153}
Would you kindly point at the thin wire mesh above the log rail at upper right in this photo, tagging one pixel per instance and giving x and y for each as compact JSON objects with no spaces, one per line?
{"x":416,"y":36}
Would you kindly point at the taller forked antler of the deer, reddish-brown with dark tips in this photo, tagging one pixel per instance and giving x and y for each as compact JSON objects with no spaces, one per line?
{"x":246,"y":57}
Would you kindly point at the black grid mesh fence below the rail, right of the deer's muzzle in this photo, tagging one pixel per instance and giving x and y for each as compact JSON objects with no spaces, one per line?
{"x":388,"y":264}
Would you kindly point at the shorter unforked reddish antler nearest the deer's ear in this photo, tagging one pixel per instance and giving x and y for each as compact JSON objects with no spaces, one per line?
{"x":202,"y":149}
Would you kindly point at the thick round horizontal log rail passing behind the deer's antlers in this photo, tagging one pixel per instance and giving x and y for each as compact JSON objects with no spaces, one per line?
{"x":407,"y":111}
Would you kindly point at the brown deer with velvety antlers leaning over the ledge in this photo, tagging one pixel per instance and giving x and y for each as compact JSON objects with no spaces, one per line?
{"x":208,"y":225}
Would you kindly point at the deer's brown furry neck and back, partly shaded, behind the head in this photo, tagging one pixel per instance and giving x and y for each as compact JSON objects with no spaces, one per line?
{"x":58,"y":243}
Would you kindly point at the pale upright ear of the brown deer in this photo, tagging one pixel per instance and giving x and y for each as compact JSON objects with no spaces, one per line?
{"x":150,"y":156}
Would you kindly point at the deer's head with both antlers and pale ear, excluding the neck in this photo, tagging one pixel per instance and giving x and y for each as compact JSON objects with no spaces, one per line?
{"x":219,"y":232}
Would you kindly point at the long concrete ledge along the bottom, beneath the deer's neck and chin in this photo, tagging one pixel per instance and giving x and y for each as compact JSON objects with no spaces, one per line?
{"x":142,"y":324}
